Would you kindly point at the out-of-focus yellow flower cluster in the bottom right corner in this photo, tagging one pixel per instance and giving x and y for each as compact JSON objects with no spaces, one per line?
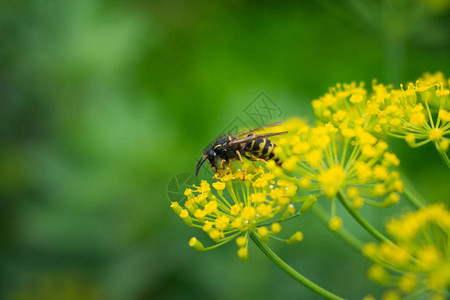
{"x":420,"y":253}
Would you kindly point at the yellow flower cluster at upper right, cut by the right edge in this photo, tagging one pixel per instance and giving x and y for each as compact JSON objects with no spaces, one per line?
{"x":419,"y":113}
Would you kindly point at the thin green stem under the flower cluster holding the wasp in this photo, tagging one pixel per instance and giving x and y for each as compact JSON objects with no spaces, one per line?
{"x":290,"y":271}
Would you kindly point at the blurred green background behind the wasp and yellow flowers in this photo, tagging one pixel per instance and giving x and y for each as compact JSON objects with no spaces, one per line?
{"x":102,"y":103}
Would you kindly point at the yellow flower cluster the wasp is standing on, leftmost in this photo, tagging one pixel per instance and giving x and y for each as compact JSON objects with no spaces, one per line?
{"x":232,"y":208}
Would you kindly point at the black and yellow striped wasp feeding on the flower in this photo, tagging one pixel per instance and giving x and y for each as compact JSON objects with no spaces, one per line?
{"x":227,"y":149}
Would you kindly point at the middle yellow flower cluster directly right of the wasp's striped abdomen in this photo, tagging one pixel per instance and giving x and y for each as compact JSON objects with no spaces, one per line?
{"x":325,"y":160}
